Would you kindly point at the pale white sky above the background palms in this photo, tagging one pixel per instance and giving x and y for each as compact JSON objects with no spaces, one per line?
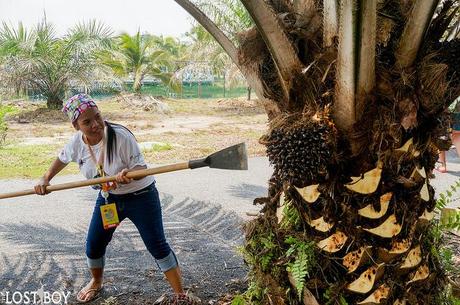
{"x":159,"y":17}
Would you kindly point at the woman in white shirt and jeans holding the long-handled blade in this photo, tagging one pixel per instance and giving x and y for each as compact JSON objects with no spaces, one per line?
{"x":103,"y":148}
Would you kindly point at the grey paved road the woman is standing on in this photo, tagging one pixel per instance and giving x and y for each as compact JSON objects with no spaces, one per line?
{"x":42,"y":238}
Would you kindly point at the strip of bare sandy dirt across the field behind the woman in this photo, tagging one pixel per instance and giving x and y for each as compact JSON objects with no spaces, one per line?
{"x":37,"y":125}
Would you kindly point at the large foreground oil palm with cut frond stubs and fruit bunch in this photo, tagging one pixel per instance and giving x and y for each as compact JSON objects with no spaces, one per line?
{"x":355,"y":92}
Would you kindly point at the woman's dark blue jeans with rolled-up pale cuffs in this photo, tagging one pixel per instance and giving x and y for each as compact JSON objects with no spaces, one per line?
{"x":143,"y":208}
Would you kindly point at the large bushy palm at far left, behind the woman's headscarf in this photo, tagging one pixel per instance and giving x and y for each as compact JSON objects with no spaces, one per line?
{"x":41,"y":61}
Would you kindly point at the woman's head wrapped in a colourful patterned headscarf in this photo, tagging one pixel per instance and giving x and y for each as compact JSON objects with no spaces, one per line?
{"x":84,"y":115}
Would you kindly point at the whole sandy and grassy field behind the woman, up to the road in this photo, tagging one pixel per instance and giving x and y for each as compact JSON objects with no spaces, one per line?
{"x":181,"y":130}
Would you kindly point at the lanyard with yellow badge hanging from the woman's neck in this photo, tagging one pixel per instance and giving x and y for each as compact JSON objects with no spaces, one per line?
{"x":108,"y":210}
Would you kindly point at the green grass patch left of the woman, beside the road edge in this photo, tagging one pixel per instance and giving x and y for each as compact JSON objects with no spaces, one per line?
{"x":29,"y":161}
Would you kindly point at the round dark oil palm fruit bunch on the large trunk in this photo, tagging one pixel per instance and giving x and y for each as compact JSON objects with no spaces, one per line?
{"x":301,"y":147}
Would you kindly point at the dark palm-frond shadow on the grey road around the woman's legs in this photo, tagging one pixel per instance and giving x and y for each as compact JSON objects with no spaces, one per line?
{"x":203,"y":235}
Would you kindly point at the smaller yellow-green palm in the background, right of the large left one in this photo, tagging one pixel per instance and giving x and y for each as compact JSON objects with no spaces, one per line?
{"x":137,"y":56}
